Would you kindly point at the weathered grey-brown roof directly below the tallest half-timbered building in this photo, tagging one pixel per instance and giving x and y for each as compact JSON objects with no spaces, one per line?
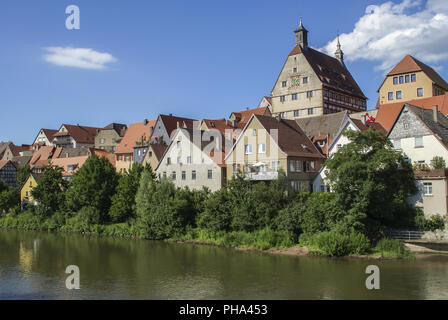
{"x":322,"y":125}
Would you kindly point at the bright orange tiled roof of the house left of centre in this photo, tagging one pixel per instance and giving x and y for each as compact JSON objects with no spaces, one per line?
{"x":135,"y":132}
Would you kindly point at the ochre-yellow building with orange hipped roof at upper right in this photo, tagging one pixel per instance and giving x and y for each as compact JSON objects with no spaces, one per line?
{"x":411,"y":79}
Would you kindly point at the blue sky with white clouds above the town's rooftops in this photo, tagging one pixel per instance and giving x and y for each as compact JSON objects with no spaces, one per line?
{"x":199,"y":59}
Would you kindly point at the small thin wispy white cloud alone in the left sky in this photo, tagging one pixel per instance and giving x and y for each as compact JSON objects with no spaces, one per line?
{"x":83,"y":58}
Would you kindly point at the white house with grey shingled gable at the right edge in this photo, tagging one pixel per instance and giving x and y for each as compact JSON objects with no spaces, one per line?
{"x":421,"y":134}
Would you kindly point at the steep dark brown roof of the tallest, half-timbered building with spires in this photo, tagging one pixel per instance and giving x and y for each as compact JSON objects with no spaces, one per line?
{"x":331,"y":72}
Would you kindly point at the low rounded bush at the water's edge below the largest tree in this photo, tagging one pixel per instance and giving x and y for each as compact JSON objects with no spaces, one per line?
{"x":334,"y":243}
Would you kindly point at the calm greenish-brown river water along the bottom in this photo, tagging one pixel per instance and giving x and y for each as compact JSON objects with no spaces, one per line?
{"x":33,"y":264}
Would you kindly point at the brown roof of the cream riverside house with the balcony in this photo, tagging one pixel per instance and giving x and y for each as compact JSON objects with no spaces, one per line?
{"x":291,"y":138}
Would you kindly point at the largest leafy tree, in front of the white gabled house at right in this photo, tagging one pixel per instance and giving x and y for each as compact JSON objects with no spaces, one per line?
{"x":371,"y":181}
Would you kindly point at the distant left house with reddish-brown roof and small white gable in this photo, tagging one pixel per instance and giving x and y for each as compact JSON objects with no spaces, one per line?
{"x":71,"y":136}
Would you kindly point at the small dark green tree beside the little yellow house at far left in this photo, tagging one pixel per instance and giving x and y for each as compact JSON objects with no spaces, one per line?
{"x":49,"y":192}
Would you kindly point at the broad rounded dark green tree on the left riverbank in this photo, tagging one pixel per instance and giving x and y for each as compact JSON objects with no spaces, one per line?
{"x":93,"y":185}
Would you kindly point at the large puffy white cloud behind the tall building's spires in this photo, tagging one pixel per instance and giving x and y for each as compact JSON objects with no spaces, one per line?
{"x":389,"y":31}
